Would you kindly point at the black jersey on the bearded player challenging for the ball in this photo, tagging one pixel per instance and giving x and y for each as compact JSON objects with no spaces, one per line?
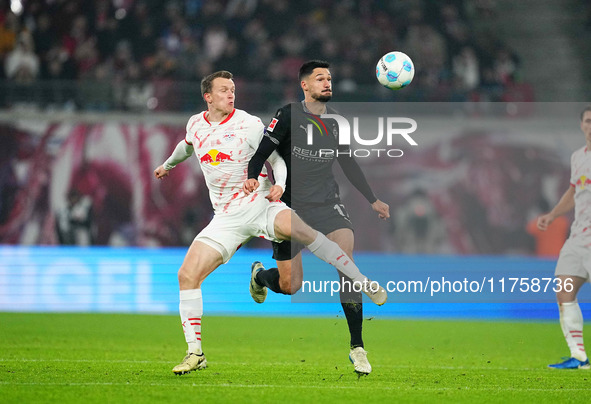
{"x":310,"y":180}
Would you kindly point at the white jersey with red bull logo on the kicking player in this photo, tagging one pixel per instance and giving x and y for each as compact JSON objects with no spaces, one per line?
{"x":224,"y":150}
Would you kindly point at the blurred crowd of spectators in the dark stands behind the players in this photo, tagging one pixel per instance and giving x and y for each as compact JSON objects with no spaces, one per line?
{"x":135,"y":50}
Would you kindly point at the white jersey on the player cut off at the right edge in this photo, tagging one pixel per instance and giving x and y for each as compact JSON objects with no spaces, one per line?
{"x":581,"y":179}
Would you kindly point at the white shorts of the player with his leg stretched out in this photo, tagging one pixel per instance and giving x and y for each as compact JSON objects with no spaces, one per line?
{"x":228,"y":231}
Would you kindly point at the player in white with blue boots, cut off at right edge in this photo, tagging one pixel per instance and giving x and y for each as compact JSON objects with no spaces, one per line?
{"x":574,"y":263}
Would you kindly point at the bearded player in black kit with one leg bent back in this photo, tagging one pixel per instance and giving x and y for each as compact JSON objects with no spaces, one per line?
{"x":313,"y":193}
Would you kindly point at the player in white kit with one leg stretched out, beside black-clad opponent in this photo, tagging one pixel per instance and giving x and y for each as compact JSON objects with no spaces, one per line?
{"x":224,"y":140}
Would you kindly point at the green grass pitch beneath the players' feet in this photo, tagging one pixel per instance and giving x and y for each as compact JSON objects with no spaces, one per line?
{"x":110,"y":358}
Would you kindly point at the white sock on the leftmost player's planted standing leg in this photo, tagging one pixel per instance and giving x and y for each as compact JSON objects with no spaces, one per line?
{"x":191,"y":310}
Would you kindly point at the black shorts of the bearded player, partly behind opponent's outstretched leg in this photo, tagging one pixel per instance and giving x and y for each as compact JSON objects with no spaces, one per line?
{"x":324,"y":218}
